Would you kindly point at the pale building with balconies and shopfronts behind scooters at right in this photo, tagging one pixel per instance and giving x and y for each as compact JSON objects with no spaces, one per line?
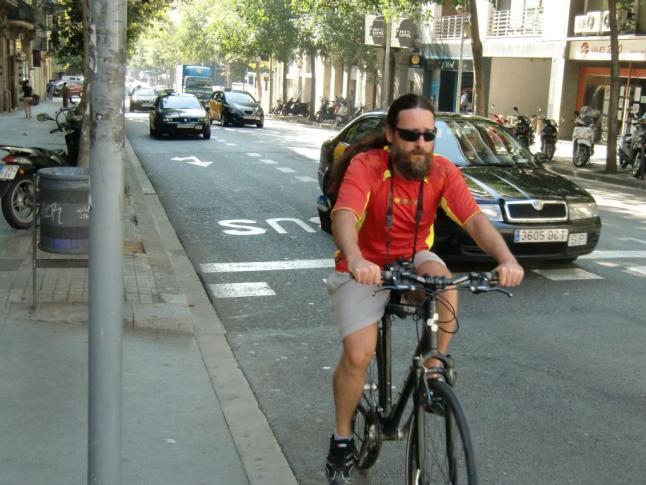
{"x":547,"y":55}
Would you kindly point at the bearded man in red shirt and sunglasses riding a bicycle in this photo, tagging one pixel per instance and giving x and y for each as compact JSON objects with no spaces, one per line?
{"x":386,"y":206}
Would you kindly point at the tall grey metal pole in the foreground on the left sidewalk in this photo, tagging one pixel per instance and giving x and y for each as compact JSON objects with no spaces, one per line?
{"x":108,"y":59}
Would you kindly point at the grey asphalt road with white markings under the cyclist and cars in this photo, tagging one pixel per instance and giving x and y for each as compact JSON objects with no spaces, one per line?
{"x":550,"y":379}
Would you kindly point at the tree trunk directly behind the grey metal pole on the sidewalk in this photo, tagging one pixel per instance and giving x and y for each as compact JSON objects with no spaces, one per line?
{"x":89,"y":57}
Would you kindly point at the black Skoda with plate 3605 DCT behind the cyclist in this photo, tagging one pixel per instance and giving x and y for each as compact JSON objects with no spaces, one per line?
{"x":541,"y":215}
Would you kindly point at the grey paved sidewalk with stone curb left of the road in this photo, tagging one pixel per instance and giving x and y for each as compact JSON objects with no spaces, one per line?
{"x":188,"y":415}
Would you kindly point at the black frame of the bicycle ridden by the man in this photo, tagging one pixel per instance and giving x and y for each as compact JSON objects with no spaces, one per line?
{"x":390,"y":415}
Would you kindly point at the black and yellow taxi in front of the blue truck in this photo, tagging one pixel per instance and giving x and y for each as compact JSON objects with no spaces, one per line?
{"x":235,"y":108}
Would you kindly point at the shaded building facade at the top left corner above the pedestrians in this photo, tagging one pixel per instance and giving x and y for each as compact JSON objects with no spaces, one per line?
{"x":25,"y":49}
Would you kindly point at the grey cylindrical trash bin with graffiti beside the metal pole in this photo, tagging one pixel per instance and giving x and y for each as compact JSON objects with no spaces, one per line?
{"x":64,"y":209}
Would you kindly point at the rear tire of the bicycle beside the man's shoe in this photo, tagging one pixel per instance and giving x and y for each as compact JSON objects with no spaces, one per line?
{"x":366,"y":427}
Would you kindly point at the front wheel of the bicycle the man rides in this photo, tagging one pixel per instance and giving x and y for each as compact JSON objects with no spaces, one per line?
{"x":438,"y":448}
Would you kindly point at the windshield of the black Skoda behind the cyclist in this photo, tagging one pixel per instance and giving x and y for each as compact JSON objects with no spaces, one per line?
{"x":479,"y":142}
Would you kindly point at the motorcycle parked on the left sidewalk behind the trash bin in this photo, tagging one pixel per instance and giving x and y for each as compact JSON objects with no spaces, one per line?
{"x":19,"y":165}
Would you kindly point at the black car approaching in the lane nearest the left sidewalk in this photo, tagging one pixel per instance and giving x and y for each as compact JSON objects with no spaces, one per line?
{"x":179,"y":113}
